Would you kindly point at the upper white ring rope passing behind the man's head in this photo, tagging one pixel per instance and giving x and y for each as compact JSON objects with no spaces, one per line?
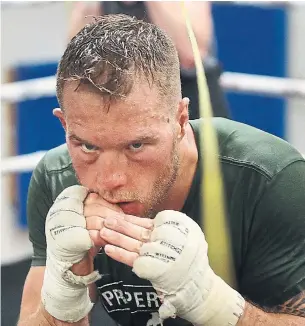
{"x":231,"y":81}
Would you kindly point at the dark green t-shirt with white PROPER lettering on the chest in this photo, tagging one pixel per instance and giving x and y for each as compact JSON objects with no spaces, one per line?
{"x":264,"y":180}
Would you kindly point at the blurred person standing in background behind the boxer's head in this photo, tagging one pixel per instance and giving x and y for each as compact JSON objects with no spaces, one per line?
{"x":168,"y":16}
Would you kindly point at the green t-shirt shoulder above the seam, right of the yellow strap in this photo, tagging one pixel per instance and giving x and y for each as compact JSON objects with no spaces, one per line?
{"x":246,"y":146}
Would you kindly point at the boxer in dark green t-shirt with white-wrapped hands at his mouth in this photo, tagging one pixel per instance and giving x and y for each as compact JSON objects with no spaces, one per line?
{"x":116,"y":208}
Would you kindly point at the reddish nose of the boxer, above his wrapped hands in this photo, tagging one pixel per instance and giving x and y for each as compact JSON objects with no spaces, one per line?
{"x":111,"y":171}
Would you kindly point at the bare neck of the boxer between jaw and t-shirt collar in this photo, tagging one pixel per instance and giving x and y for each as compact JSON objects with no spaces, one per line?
{"x":188,"y":163}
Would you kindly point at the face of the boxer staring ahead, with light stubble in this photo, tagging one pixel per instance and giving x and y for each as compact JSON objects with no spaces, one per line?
{"x":129,"y":152}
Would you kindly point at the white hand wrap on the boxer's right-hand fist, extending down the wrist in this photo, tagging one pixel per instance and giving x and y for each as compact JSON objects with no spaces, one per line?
{"x":177,"y":265}
